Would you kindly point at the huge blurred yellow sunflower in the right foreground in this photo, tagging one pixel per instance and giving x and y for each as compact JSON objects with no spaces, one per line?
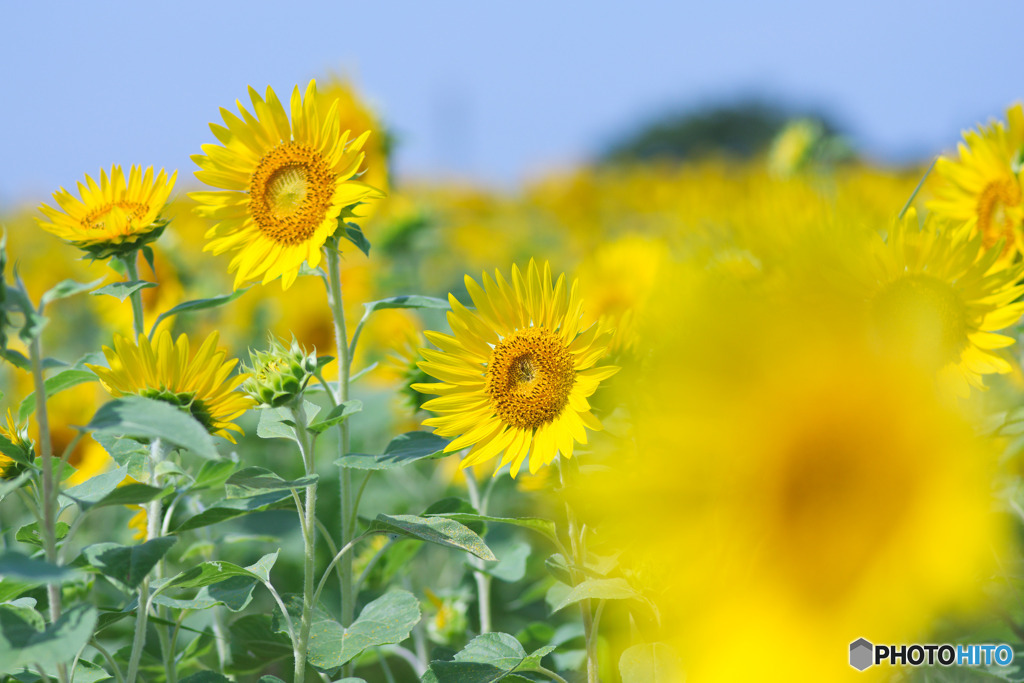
{"x":794,"y":492}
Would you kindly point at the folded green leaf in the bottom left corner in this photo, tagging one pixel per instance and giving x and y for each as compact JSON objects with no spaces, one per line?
{"x":22,"y":646}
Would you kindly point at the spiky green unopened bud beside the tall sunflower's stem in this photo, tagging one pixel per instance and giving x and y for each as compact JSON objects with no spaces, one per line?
{"x":280,"y":374}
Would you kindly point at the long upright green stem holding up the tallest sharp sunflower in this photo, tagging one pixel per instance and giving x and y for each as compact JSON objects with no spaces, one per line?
{"x":345,"y":367}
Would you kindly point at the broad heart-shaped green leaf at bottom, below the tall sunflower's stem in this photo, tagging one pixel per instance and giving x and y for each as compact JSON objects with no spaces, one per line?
{"x":388,"y":620}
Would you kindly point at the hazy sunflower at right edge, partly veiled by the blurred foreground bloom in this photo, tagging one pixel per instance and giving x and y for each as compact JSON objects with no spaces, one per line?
{"x":930,"y":297}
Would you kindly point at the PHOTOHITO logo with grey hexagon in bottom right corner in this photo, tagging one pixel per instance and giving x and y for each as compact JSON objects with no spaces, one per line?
{"x":865,"y":655}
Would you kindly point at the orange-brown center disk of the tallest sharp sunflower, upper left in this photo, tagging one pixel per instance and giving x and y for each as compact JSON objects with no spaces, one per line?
{"x":290,"y":193}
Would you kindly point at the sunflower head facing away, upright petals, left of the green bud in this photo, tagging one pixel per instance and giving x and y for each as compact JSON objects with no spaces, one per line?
{"x":167,"y":371}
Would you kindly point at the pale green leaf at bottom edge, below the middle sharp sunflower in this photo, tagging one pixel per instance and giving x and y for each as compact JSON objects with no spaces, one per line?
{"x":487,"y":659}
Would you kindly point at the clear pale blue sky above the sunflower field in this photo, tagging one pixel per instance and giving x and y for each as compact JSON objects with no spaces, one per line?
{"x":497,"y":92}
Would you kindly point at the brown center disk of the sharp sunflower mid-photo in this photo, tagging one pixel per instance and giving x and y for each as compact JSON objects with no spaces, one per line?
{"x":530,"y":378}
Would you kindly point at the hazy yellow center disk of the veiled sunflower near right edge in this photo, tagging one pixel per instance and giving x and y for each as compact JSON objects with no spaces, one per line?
{"x":922,"y":318}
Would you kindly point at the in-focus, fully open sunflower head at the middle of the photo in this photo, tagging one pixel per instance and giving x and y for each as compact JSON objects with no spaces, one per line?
{"x":517,"y":373}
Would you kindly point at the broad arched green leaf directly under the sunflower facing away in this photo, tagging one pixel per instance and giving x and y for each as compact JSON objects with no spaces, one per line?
{"x":146,"y":418}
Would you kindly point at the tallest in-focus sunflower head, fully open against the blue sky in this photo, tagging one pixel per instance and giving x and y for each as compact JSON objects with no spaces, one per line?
{"x":284,"y":185}
